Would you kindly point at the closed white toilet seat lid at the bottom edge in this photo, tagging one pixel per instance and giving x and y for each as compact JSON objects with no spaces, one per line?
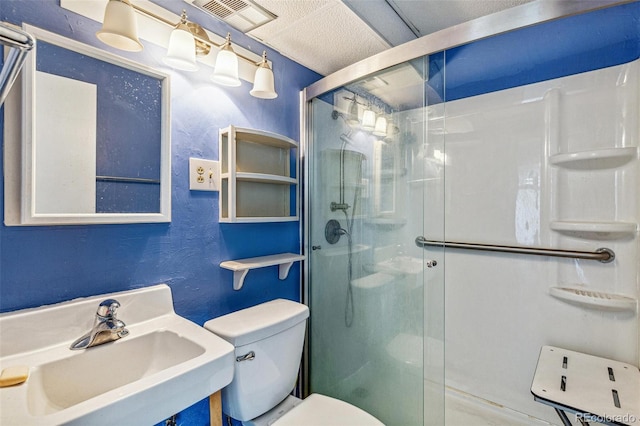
{"x":320,"y":410}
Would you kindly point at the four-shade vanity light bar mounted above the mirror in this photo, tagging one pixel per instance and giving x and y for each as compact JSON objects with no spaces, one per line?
{"x":188,"y":40}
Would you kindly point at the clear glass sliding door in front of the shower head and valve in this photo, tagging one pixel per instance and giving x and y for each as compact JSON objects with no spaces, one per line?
{"x":375,"y":166}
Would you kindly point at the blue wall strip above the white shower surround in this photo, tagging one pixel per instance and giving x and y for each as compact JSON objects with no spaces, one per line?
{"x":559,"y":48}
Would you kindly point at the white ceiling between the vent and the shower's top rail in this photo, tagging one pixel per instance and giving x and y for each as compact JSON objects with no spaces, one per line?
{"x":328,"y":35}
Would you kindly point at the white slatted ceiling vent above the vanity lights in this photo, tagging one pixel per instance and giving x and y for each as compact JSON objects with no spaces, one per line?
{"x":243,"y":15}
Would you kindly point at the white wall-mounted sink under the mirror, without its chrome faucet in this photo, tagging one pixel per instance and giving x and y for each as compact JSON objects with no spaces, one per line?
{"x":164,"y":365}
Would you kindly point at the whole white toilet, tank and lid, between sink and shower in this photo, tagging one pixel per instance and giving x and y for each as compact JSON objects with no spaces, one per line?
{"x":268,"y":340}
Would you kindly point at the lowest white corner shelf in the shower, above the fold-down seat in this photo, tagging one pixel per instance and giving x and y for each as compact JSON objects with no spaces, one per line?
{"x":594,"y":299}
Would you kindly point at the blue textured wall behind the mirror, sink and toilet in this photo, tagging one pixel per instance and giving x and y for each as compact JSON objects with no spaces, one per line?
{"x":43,"y":265}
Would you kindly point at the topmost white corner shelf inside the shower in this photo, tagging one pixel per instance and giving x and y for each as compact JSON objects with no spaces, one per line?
{"x":595,"y":159}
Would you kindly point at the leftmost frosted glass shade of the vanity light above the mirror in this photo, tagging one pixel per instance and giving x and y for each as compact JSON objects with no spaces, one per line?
{"x":120,"y":26}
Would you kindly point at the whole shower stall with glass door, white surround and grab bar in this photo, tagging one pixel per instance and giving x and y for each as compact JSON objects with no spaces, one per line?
{"x":466,"y":139}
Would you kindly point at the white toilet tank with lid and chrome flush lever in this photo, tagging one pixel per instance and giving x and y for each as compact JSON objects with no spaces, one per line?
{"x":274,"y":332}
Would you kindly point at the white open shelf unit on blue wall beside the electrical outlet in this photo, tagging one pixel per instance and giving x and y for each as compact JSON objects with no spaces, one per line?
{"x":258,"y":179}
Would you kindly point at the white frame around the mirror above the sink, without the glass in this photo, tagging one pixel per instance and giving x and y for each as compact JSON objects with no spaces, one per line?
{"x":19,"y":158}
